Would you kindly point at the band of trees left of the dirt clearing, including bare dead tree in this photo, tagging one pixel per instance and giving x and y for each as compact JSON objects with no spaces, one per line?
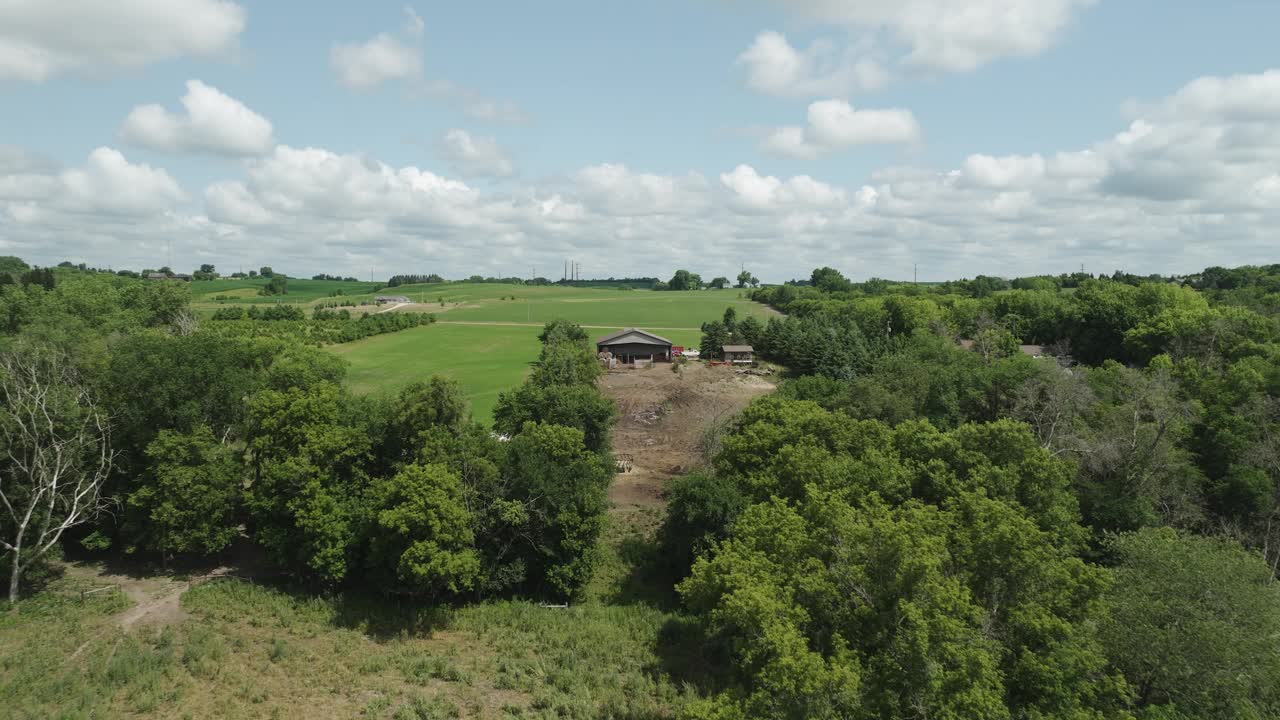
{"x":176,"y":440}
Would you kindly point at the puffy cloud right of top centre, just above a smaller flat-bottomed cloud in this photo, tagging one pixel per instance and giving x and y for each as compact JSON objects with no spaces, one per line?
{"x":775,"y":67}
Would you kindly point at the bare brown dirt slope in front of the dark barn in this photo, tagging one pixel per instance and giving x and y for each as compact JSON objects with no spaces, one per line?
{"x":668,"y":421}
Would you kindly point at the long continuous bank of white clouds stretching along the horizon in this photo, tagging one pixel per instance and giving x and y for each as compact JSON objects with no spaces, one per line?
{"x":1191,"y":183}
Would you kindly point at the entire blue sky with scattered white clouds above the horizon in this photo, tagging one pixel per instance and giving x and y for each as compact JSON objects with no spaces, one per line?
{"x":943,"y":139}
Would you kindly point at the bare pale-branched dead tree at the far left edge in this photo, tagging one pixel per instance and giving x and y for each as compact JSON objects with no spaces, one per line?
{"x":54,"y":459}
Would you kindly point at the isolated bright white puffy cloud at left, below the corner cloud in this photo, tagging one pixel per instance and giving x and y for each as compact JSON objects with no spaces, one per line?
{"x":214,"y":122}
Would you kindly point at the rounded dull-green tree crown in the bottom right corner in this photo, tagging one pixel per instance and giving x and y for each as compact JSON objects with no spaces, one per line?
{"x":1195,"y":625}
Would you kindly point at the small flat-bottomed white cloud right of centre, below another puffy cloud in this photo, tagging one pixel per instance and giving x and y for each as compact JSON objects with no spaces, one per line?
{"x":835,"y":125}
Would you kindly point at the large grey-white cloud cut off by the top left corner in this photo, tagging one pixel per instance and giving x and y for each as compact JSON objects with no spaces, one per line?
{"x":40,"y":39}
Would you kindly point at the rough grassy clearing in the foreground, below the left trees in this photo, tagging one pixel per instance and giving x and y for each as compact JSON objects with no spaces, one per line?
{"x":262,"y":651}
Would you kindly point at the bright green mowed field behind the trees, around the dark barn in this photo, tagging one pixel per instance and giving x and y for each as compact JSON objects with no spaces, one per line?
{"x":487,"y":344}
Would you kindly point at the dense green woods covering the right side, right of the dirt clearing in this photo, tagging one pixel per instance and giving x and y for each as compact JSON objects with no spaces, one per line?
{"x":921,"y":527}
